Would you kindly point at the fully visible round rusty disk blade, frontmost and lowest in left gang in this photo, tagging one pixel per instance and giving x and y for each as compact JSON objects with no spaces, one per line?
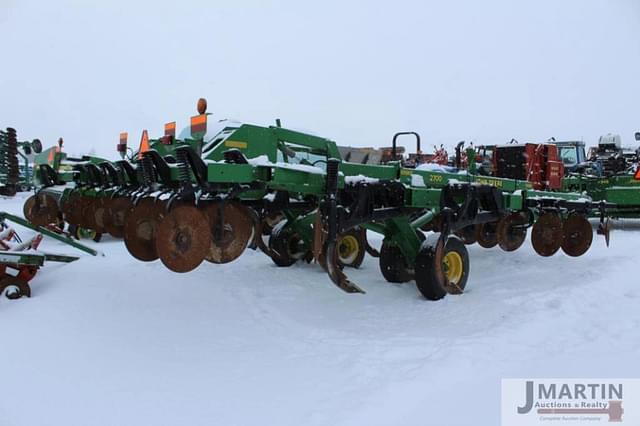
{"x":183,"y":238}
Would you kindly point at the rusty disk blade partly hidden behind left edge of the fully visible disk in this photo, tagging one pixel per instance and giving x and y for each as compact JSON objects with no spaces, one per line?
{"x":140,"y":228}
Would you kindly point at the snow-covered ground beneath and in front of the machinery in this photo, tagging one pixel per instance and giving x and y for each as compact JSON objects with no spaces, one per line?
{"x":112,"y":341}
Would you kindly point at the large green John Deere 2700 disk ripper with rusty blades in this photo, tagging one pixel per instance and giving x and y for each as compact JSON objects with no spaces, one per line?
{"x":205,"y":196}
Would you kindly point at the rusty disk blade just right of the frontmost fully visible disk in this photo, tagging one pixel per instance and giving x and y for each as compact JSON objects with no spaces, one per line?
{"x":229,"y":236}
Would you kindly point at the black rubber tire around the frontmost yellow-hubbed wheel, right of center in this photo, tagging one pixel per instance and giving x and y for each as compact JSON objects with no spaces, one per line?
{"x":430,"y":278}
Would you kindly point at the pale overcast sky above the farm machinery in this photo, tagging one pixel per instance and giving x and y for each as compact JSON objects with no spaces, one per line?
{"x":353,"y":71}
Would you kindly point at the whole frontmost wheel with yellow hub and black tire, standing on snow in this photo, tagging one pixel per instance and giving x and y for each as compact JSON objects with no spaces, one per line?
{"x":442,"y":268}
